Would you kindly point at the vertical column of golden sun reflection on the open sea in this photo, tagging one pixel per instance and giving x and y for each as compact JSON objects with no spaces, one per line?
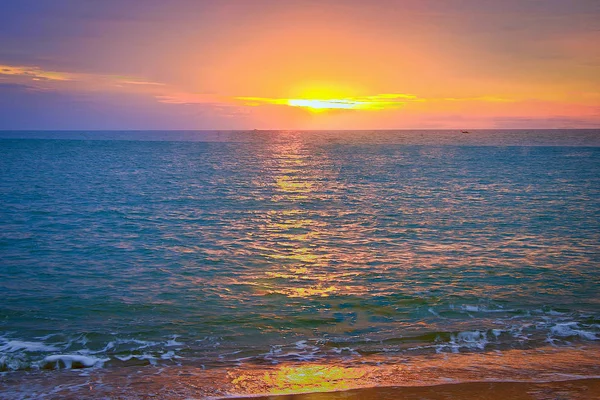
{"x":300,"y":269}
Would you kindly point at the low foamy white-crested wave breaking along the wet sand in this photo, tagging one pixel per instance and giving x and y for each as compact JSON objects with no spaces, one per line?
{"x":496,"y":334}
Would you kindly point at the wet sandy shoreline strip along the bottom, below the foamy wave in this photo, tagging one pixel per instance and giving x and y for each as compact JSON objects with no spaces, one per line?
{"x":367,"y":376}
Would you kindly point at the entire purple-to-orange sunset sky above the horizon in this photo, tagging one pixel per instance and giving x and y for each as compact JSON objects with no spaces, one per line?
{"x":299,"y":64}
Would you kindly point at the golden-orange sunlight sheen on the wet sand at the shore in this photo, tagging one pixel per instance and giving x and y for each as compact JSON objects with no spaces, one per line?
{"x":515,"y":365}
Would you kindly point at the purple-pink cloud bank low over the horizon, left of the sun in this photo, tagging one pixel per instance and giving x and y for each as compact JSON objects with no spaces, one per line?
{"x":24,"y":107}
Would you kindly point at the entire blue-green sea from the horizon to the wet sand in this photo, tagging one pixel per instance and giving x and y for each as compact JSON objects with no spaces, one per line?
{"x":129,"y":250}
